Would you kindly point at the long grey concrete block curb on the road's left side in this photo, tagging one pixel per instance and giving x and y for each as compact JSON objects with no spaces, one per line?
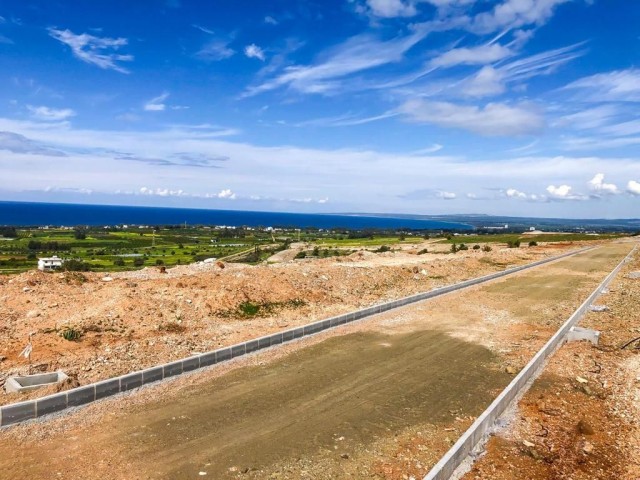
{"x":30,"y":409}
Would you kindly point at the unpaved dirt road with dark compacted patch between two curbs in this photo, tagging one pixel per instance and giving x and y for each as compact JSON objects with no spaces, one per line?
{"x":381,"y":398}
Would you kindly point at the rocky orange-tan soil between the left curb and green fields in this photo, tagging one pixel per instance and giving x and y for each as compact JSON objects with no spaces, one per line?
{"x":134,"y":320}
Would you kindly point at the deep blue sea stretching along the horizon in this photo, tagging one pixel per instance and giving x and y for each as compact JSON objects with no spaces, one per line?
{"x":65,"y":214}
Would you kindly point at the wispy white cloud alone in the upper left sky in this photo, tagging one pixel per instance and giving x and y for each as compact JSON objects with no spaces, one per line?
{"x":93,"y":50}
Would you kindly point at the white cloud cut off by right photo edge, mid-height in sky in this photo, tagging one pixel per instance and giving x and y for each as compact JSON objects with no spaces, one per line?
{"x":620,"y":85}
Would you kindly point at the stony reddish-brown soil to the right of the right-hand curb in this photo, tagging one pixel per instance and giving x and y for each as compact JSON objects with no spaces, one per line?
{"x":581,"y":418}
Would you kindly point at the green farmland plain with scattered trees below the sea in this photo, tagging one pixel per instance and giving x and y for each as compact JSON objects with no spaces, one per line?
{"x":114,"y":249}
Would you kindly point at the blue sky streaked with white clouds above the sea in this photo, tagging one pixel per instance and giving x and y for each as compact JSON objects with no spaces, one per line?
{"x":518,"y":107}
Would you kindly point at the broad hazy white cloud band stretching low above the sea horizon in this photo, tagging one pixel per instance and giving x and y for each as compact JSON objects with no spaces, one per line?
{"x":93,"y":158}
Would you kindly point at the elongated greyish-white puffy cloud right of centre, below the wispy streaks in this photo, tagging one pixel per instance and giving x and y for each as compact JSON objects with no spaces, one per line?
{"x":492,"y":119}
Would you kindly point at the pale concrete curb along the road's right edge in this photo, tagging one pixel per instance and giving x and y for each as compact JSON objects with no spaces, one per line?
{"x":460,"y":451}
